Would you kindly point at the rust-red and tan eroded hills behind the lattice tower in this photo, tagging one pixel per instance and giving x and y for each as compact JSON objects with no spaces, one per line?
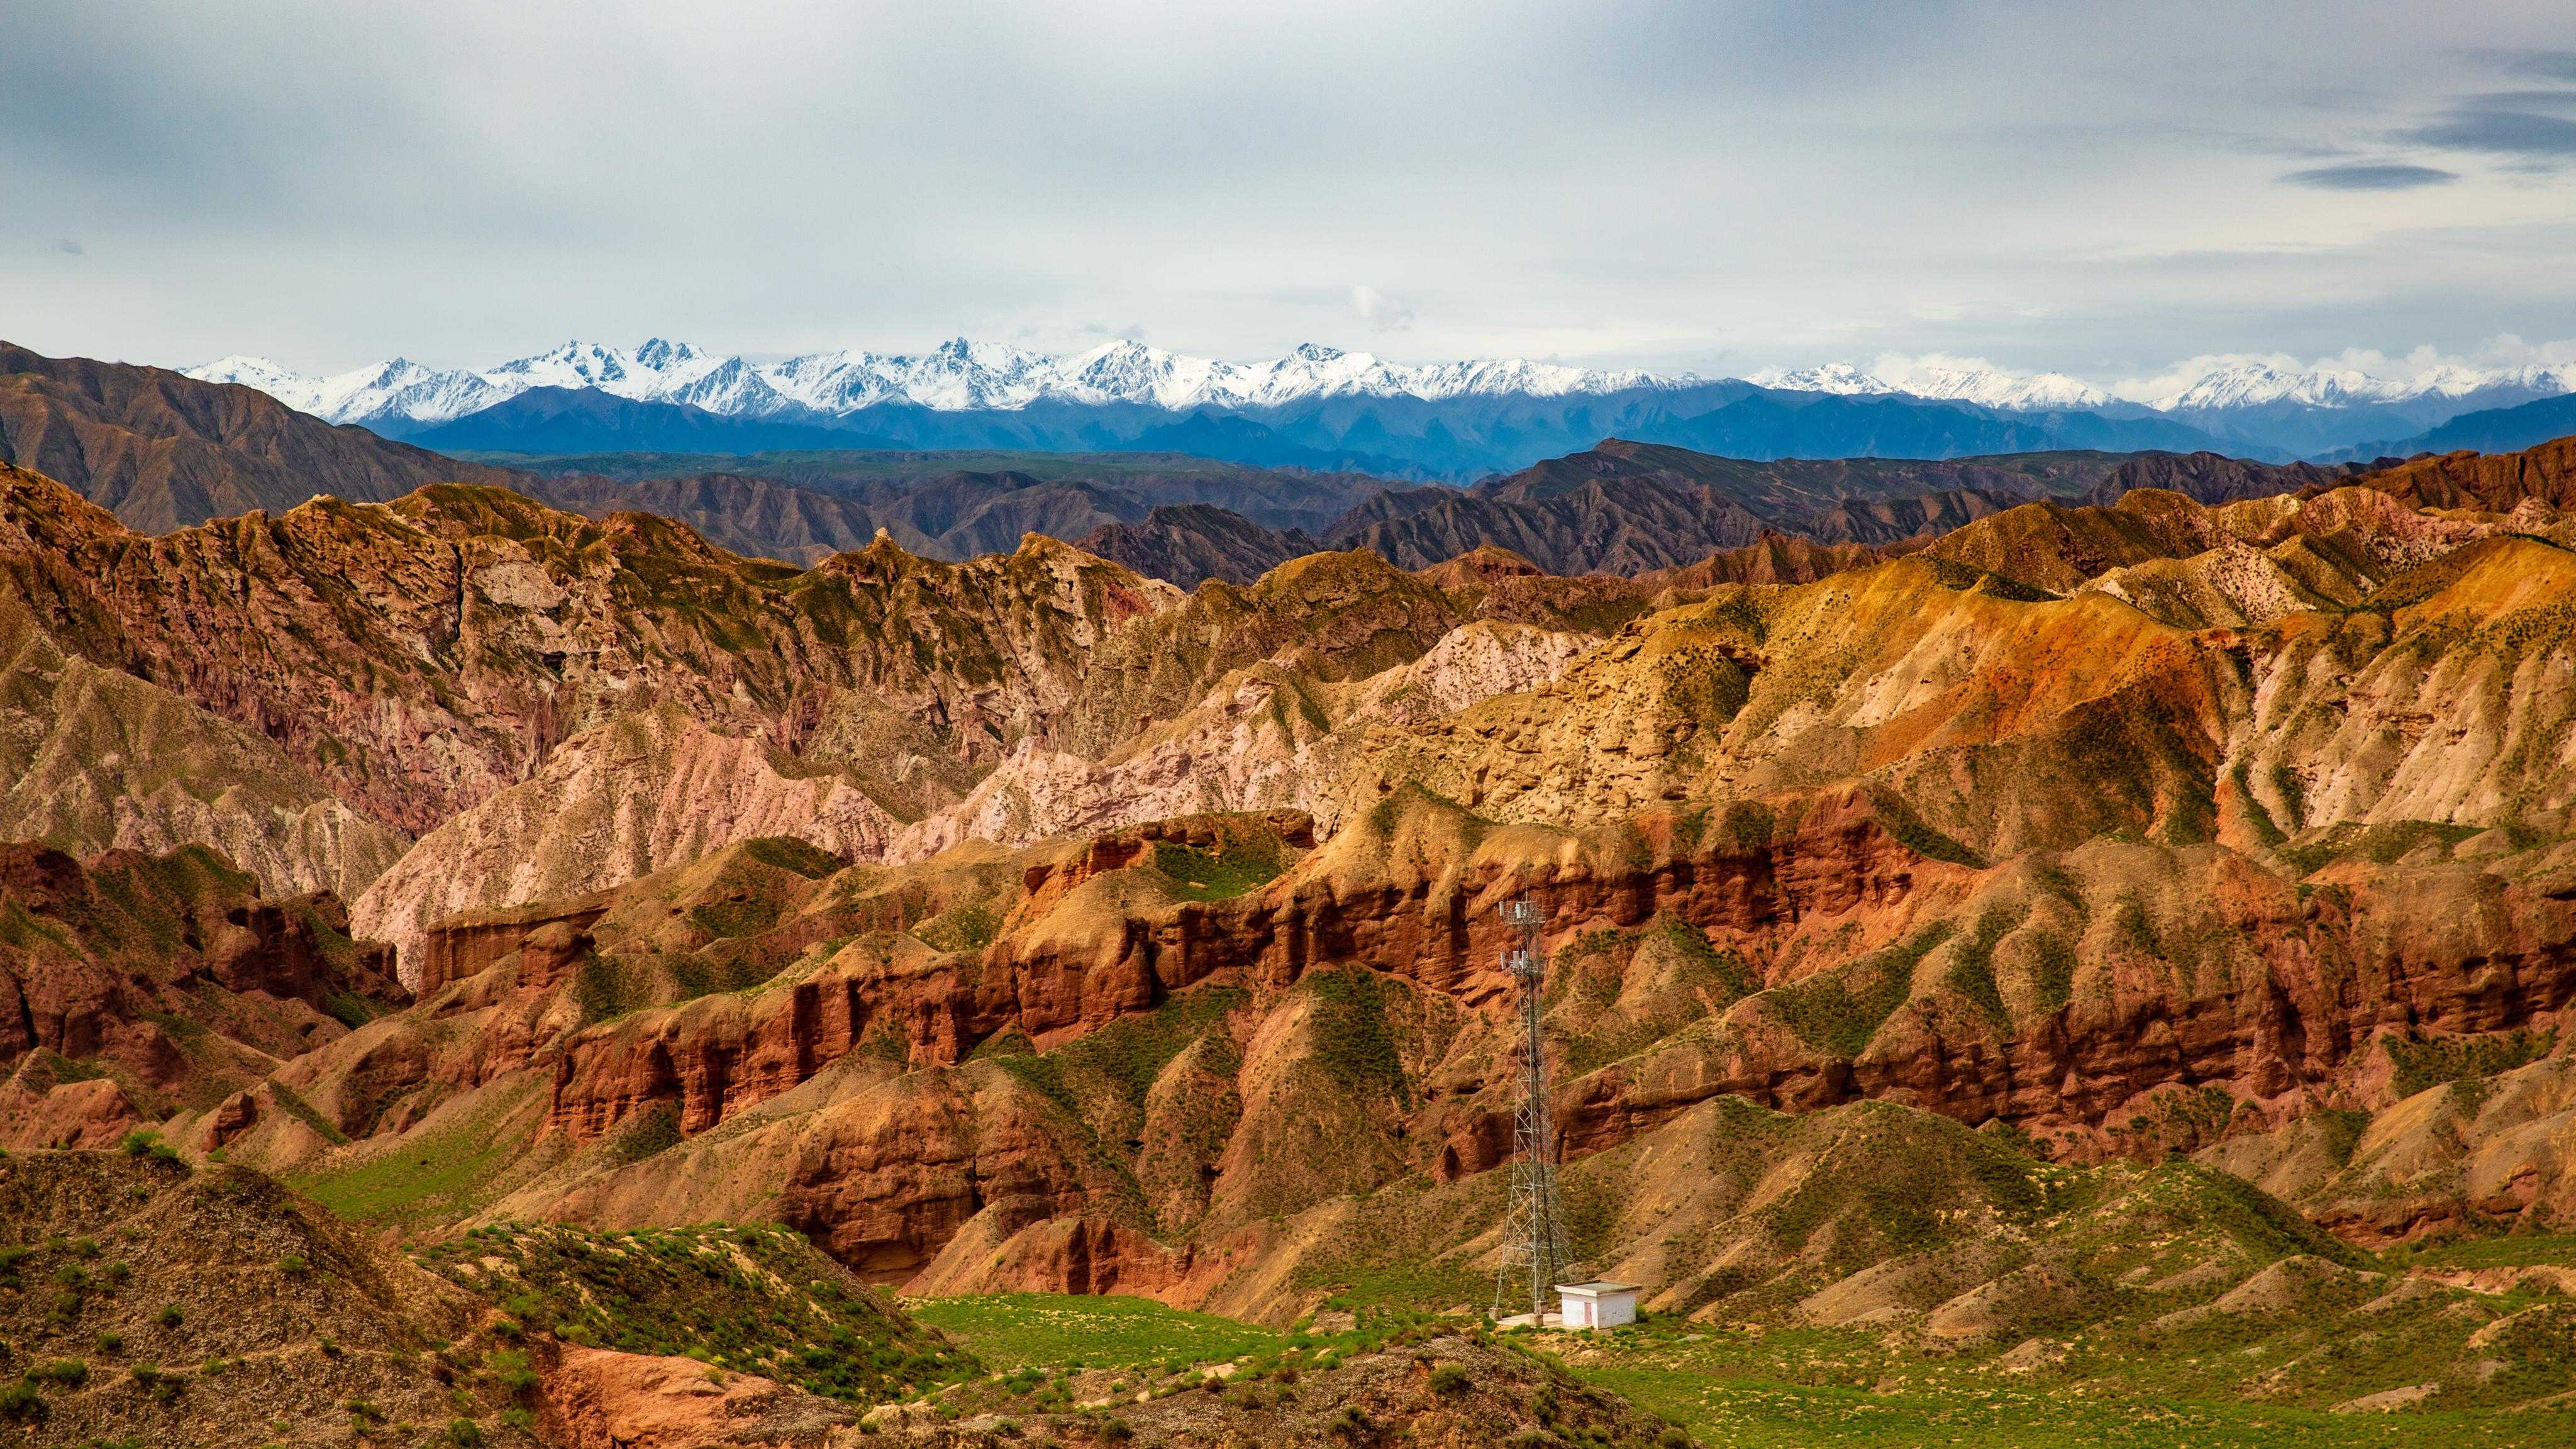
{"x":2085,"y":917}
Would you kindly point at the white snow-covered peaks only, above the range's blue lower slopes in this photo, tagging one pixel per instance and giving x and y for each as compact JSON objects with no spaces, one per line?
{"x":962,"y":378}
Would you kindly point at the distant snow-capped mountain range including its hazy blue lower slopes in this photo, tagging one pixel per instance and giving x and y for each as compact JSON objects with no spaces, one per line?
{"x":1325,"y":401}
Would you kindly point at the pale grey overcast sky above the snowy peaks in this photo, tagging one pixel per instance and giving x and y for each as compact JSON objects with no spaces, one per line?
{"x":2098,"y":190}
